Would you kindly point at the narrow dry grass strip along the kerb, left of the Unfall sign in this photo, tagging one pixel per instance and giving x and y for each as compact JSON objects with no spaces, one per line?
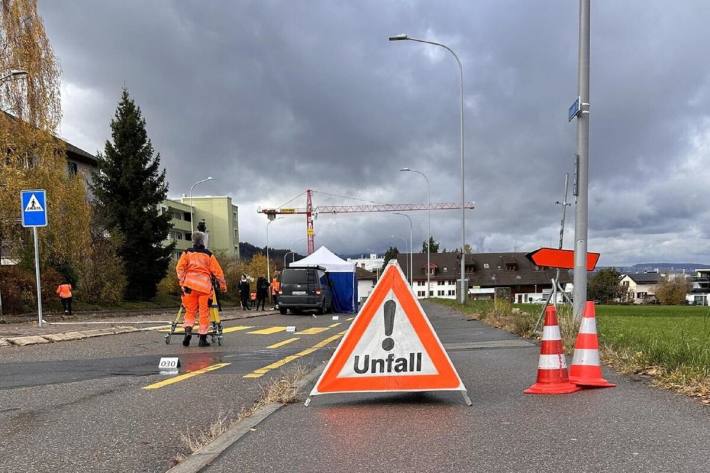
{"x":282,"y":390}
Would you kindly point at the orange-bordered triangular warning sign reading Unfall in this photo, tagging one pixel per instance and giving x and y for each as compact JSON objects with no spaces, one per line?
{"x":390,"y":346}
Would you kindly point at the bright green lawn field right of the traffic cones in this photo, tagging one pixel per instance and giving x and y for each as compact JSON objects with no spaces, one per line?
{"x":674,"y":337}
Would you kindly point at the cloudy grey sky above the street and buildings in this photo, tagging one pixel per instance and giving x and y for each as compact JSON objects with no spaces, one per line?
{"x":273,"y":97}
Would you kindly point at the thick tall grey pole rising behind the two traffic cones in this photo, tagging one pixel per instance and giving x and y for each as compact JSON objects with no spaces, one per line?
{"x":581,"y":210}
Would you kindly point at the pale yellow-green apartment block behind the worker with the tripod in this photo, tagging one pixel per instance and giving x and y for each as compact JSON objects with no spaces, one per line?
{"x":219,"y":215}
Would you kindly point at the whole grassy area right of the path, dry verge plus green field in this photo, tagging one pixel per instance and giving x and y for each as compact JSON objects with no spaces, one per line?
{"x":670,"y":345}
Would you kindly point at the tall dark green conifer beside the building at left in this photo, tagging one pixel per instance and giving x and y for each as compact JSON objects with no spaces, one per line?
{"x":129,"y":187}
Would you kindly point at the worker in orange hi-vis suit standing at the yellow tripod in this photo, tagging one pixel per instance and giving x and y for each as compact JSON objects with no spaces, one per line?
{"x":195,"y":270}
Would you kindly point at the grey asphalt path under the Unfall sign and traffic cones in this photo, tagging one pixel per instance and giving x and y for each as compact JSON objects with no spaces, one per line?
{"x":630,"y":428}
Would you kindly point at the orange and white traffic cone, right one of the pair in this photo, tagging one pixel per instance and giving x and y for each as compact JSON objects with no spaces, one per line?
{"x":585,"y":369}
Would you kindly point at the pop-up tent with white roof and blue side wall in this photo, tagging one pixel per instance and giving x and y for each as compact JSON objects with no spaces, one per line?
{"x":341,"y":274}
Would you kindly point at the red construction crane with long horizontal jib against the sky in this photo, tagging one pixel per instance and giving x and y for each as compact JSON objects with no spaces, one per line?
{"x":309,"y":210}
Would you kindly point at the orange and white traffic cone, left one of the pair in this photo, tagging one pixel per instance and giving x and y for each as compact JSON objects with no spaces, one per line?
{"x":552,"y":368}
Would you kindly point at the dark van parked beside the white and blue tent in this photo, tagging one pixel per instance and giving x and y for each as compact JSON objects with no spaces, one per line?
{"x":305,"y":289}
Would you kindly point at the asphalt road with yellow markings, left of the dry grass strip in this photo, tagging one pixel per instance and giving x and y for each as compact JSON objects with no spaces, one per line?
{"x":82,"y":406}
